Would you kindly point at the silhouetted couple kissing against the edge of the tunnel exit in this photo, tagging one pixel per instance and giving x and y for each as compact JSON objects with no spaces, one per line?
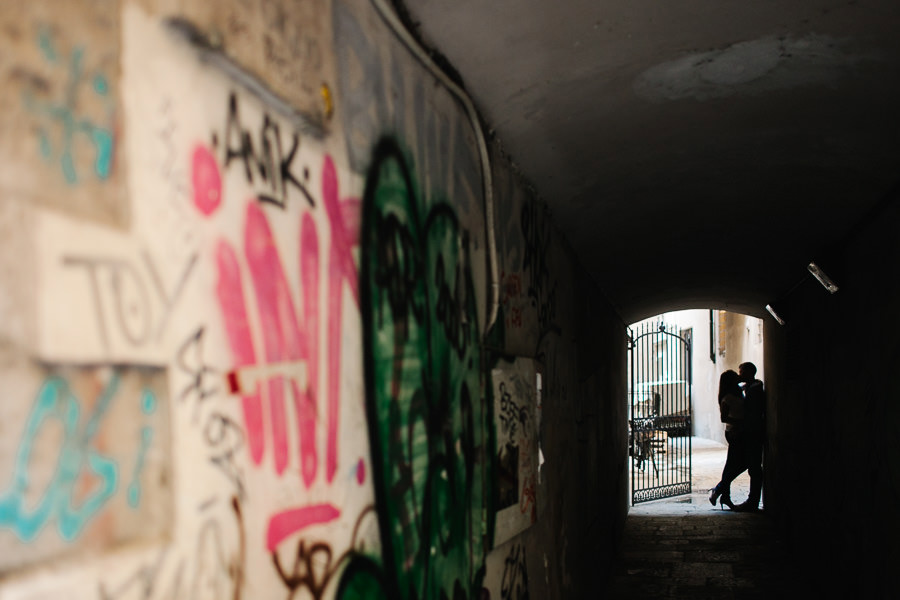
{"x":742,"y":404}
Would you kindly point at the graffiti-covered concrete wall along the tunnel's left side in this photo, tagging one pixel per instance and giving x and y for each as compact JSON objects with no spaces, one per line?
{"x":245,"y":292}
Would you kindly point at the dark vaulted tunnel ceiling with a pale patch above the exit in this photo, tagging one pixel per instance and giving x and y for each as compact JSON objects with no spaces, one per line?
{"x":695,"y":154}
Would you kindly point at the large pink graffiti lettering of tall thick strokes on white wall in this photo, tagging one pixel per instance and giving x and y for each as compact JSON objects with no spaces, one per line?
{"x":290,"y":339}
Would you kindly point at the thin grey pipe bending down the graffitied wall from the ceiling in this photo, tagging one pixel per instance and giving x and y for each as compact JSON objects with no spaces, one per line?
{"x":390,"y":18}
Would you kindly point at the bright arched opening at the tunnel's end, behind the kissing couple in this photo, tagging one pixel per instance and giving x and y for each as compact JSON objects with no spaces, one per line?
{"x":677,"y":443}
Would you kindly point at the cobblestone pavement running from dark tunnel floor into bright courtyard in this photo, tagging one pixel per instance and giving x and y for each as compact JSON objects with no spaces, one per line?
{"x":685,"y":548}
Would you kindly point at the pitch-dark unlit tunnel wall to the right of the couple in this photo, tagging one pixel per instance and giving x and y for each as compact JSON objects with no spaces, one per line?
{"x":833,"y":460}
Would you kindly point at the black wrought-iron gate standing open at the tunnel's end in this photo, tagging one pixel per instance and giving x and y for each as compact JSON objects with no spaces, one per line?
{"x":659,"y":436}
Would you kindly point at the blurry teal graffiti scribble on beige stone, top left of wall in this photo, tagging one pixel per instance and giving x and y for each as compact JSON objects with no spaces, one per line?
{"x":62,"y":116}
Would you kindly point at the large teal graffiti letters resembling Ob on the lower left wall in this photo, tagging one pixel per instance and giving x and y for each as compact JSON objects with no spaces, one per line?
{"x":55,"y":400}
